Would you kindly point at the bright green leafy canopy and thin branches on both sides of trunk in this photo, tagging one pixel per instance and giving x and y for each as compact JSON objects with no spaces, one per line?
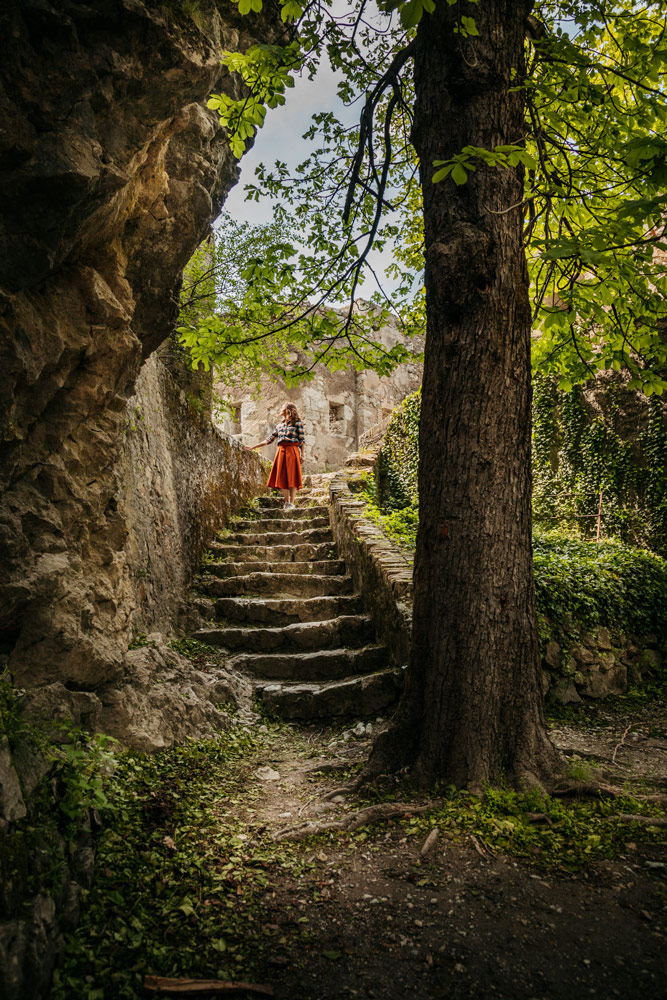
{"x":594,"y":157}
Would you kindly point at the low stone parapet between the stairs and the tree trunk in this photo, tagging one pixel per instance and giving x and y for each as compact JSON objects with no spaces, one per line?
{"x":380,"y":570}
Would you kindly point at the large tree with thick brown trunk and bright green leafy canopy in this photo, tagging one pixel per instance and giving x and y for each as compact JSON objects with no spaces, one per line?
{"x":590,"y":217}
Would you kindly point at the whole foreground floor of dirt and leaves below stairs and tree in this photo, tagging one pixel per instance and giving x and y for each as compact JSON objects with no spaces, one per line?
{"x":191,"y":883}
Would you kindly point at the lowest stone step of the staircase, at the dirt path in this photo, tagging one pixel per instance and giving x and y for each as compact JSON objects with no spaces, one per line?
{"x":355,"y":697}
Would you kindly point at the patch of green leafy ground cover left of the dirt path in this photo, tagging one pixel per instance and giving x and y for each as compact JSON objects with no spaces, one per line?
{"x":178,"y":883}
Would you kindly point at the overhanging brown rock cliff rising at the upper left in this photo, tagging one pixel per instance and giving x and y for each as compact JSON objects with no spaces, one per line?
{"x":111,"y":170}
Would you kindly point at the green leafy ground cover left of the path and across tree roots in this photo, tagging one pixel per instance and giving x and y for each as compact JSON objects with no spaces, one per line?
{"x":185,"y":864}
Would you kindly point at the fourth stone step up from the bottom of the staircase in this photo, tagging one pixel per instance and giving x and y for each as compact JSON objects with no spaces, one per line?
{"x":278,"y":611}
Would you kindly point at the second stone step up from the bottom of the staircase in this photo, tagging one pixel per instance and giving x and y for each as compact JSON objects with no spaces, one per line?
{"x":315,"y":665}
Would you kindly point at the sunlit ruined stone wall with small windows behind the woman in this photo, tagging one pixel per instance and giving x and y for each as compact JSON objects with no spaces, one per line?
{"x":337,"y":408}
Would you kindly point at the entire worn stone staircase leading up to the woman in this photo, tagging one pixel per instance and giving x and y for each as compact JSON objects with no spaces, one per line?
{"x":288,"y":617}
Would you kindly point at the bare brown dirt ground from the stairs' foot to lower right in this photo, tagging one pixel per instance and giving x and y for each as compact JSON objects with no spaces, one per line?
{"x":374,"y":919}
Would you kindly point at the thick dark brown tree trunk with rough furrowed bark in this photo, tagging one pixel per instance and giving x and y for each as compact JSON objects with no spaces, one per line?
{"x":472,"y":710}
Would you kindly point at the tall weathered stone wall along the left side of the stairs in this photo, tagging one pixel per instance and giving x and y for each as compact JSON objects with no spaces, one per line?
{"x":180,"y":479}
